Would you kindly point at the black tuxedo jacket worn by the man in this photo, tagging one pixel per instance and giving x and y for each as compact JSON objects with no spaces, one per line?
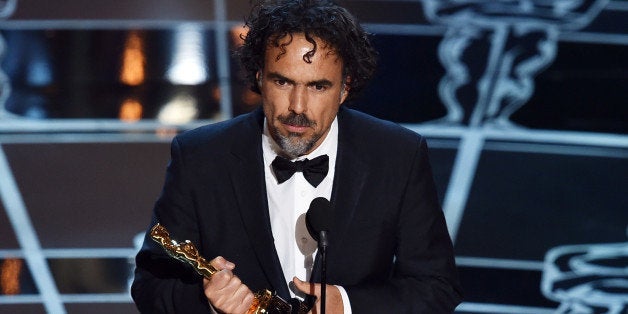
{"x":389,"y":246}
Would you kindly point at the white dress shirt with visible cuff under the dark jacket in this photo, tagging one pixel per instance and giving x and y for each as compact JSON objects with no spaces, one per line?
{"x":288,"y":202}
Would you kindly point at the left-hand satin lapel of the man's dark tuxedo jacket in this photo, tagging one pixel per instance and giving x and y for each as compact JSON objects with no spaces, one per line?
{"x":247,"y":179}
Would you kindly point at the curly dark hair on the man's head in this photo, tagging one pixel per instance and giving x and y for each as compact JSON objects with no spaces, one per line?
{"x":272,"y":20}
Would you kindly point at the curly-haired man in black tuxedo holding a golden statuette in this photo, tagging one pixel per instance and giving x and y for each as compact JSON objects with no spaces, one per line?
{"x":389,"y":249}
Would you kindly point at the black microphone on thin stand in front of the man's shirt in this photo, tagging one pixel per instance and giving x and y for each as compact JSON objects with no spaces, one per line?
{"x":317,"y":221}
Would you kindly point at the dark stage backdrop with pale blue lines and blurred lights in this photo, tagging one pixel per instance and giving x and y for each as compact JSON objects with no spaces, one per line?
{"x":524,"y":104}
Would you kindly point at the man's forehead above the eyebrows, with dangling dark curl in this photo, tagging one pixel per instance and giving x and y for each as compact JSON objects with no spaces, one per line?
{"x":297,"y":51}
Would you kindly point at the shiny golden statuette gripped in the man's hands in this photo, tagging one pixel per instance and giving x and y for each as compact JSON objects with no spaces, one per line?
{"x":265,"y":301}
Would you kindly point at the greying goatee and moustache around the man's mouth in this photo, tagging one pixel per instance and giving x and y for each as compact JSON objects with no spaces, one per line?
{"x":295,"y":144}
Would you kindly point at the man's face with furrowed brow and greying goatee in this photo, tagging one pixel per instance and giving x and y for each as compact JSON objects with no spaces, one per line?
{"x":301,"y":99}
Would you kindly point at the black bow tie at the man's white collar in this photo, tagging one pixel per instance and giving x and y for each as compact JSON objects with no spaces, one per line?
{"x":313,"y":170}
